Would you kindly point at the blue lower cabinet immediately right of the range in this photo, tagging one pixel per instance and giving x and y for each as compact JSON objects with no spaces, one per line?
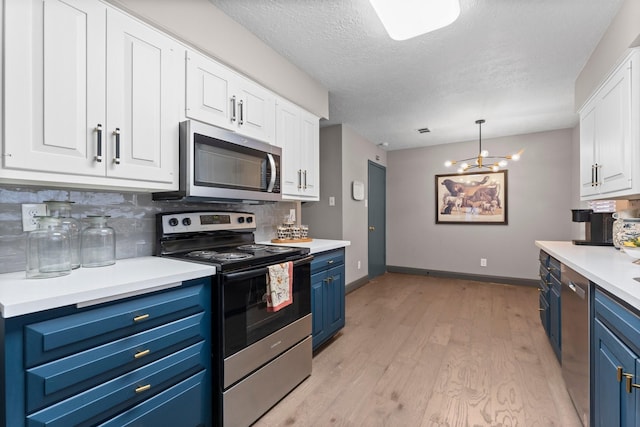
{"x":327,"y":295}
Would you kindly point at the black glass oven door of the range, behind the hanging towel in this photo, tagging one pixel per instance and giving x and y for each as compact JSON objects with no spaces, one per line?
{"x":245,"y":319}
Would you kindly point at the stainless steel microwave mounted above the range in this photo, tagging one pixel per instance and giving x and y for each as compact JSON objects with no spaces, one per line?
{"x":220,"y":165}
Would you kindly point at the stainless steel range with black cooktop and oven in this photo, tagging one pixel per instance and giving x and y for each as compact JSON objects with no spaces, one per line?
{"x":258,"y":355}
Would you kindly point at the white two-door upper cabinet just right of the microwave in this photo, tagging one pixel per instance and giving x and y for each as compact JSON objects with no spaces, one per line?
{"x":298,"y":134}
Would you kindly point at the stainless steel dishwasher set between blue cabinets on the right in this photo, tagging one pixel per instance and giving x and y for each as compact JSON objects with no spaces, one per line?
{"x":574,"y":318}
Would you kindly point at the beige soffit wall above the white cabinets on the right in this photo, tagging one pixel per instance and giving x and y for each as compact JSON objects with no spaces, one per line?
{"x":623,"y":33}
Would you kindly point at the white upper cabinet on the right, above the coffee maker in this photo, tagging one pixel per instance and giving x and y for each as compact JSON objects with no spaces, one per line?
{"x":610,"y":137}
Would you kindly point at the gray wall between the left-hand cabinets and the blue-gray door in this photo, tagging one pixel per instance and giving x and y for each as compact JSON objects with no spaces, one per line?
{"x":344,"y":157}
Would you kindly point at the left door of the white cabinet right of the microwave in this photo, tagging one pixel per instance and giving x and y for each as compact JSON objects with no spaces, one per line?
{"x":288,"y":138}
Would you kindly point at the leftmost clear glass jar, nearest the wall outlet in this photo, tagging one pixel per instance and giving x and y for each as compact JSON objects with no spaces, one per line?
{"x":48,"y":249}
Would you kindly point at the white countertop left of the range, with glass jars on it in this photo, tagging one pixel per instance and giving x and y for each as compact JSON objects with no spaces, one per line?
{"x":88,"y":286}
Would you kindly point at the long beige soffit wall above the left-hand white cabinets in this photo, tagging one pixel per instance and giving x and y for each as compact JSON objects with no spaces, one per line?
{"x":204,"y":26}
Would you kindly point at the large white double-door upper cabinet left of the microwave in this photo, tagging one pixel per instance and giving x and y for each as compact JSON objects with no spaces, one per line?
{"x":90,"y":92}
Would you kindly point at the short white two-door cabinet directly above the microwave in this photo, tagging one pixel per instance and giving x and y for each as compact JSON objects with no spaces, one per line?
{"x":221,"y":97}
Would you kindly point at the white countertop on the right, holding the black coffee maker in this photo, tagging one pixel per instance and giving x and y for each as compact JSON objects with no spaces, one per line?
{"x":606,"y":266}
